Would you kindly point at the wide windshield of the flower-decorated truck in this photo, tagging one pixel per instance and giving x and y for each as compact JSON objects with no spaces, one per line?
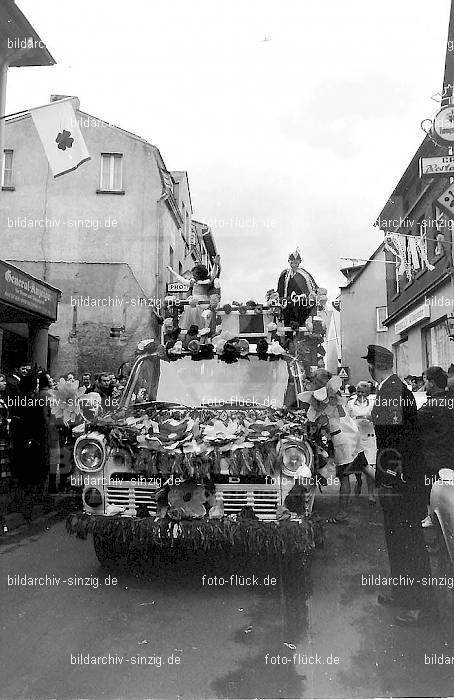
{"x":209,"y":382}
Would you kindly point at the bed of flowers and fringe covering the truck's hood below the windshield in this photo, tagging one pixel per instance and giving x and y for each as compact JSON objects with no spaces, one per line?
{"x":192,"y":443}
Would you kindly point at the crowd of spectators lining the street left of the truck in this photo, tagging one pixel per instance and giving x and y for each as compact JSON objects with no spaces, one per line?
{"x":32,"y":440}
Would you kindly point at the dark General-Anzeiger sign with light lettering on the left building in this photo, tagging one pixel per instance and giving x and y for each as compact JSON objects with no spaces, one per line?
{"x":21,"y":290}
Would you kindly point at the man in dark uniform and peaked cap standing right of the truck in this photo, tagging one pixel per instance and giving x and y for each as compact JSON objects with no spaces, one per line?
{"x":400,"y":481}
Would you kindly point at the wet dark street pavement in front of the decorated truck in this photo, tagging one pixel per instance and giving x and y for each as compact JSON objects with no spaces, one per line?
{"x":181,"y":639}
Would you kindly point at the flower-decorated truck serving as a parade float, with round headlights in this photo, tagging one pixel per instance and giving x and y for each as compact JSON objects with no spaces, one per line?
{"x":211,"y":449}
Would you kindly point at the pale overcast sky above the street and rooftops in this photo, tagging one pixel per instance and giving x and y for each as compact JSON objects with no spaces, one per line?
{"x":294,"y":118}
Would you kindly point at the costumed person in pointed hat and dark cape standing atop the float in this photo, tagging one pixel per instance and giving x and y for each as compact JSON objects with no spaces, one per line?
{"x":297,"y":291}
